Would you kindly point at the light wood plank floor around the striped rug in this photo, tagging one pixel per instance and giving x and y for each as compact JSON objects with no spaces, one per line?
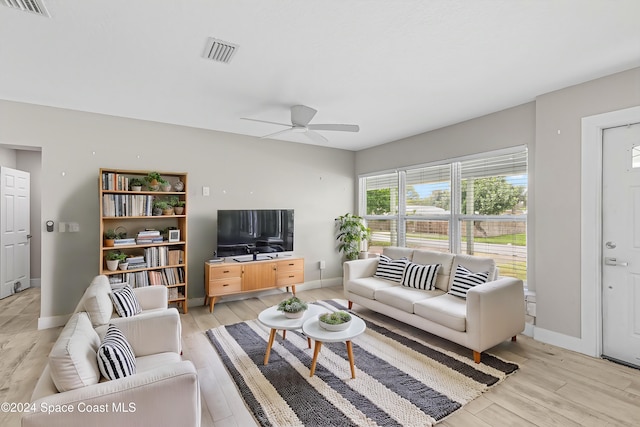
{"x":554,"y":387}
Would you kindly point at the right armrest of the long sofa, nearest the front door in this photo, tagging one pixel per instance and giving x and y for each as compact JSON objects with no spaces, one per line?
{"x":495,"y":312}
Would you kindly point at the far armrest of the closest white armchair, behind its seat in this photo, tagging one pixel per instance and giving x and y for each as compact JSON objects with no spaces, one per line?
{"x":151,"y":332}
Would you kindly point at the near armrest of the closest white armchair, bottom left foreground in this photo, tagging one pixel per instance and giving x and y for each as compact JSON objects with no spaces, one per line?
{"x":167,"y":395}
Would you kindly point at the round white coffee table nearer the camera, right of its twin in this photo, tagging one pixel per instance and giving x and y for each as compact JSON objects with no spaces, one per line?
{"x":312,"y":329}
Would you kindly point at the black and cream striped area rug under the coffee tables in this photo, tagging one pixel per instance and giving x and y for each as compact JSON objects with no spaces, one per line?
{"x":399,"y":381}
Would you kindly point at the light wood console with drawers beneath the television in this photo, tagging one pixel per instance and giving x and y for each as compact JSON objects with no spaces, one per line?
{"x":228,"y":278}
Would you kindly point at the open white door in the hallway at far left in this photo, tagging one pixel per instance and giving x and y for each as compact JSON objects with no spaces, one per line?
{"x":14,"y":226}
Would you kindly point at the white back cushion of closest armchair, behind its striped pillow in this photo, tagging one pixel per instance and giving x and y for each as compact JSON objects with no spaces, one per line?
{"x":72,"y":360}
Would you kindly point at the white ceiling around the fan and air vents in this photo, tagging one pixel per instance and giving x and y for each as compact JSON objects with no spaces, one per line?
{"x":396,"y":68}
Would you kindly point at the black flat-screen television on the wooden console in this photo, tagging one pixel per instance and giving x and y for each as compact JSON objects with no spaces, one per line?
{"x":254,"y":231}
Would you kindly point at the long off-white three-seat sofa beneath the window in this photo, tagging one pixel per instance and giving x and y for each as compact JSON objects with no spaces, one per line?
{"x":491,"y":313}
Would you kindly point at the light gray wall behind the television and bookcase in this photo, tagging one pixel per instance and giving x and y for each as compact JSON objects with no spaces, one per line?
{"x":241,"y":172}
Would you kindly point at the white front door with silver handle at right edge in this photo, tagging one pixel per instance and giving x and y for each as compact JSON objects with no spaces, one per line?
{"x":621,"y":244}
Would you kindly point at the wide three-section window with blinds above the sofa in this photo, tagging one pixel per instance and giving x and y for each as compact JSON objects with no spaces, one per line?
{"x":475,"y":206}
